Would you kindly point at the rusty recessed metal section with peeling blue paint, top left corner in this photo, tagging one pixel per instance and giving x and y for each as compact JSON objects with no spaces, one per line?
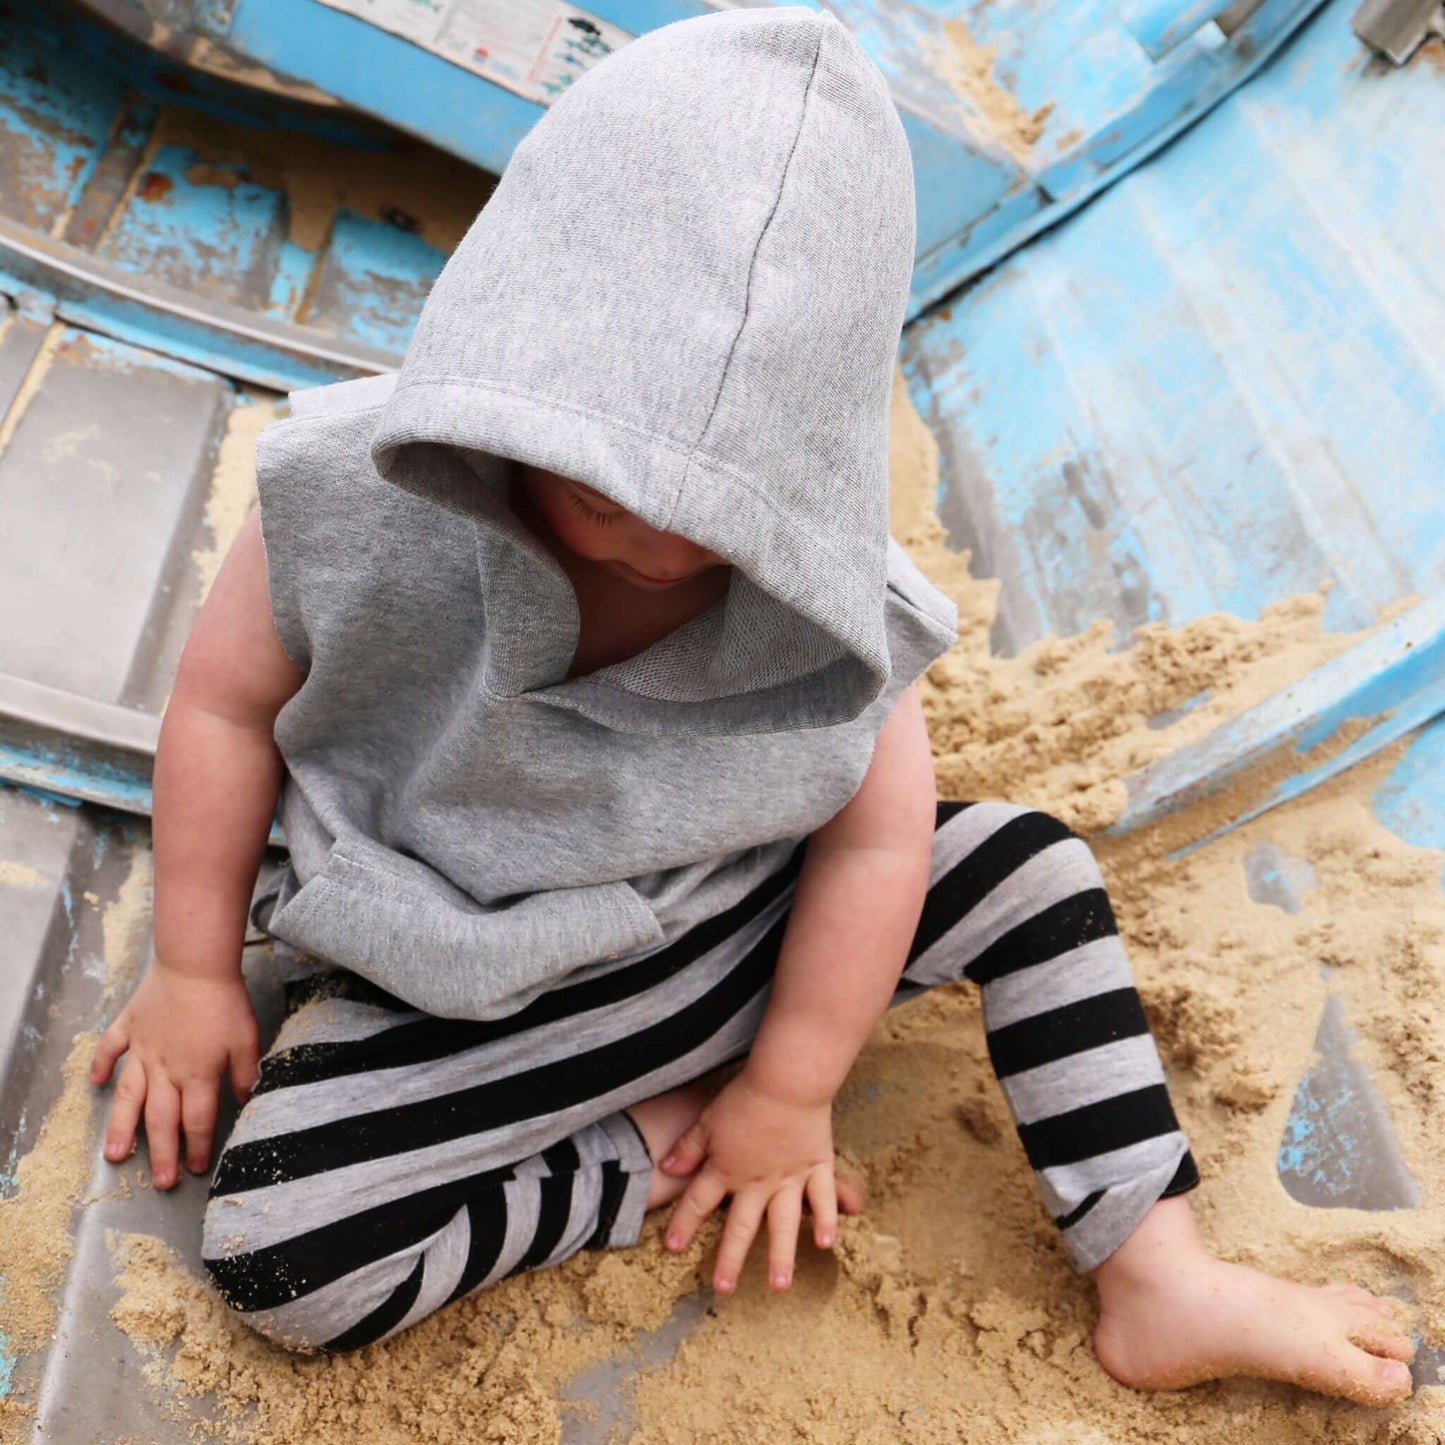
{"x":141,"y":200}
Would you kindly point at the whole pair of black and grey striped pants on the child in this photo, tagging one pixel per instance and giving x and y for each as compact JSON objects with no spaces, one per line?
{"x":389,"y":1163}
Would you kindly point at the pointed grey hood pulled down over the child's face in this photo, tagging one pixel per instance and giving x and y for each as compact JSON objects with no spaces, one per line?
{"x":686,"y":293}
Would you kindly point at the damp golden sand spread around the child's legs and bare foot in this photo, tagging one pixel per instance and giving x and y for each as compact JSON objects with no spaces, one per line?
{"x":949,"y":1311}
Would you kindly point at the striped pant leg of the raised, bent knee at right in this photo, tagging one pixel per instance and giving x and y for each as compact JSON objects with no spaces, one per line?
{"x":1017,"y":904}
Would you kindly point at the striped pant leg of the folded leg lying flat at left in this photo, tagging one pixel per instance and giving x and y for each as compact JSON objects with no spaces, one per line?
{"x":389,"y":1161}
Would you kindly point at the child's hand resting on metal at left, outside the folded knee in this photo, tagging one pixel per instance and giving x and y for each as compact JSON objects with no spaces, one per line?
{"x":181,"y":1034}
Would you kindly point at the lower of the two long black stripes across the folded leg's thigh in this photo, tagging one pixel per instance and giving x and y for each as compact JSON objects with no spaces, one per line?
{"x":499,"y":1103}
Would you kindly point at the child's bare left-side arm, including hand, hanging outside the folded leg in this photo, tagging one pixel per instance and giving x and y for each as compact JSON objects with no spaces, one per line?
{"x":216,"y":785}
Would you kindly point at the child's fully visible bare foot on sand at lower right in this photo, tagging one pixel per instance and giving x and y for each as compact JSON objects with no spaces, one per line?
{"x":1173,"y":1316}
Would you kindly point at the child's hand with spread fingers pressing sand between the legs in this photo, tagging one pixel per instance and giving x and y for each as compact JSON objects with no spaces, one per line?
{"x":769,"y":1155}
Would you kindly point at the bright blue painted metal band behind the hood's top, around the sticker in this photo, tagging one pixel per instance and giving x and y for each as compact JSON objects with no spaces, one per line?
{"x":1017,"y":113}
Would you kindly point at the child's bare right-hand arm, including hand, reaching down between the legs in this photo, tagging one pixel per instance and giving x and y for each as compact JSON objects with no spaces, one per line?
{"x":768,"y":1138}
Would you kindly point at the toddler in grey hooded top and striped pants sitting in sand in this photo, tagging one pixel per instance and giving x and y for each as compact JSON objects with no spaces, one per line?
{"x":589,"y":667}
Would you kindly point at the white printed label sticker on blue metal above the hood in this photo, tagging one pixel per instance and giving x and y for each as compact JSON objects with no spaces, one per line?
{"x":535,"y":48}
